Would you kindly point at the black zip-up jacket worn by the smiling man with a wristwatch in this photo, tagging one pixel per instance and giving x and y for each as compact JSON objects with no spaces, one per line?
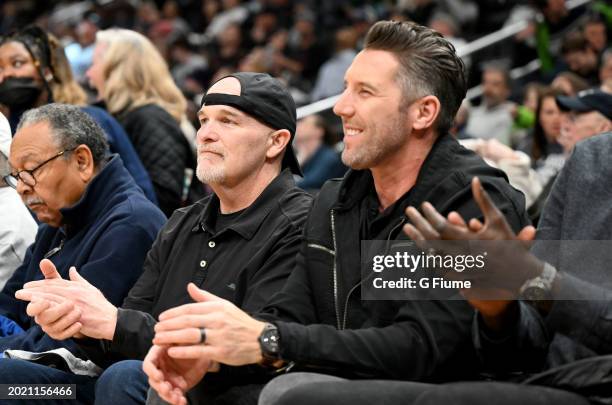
{"x":324,"y":325}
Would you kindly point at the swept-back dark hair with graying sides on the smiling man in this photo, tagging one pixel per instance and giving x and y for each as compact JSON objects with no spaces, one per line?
{"x":428,"y":63}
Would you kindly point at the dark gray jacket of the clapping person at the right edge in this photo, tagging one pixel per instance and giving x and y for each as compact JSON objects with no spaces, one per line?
{"x":574,"y":235}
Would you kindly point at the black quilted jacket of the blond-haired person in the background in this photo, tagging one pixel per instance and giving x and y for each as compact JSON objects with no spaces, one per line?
{"x":163,"y":150}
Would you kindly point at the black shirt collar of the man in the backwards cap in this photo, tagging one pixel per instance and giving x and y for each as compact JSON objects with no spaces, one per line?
{"x":249,"y":221}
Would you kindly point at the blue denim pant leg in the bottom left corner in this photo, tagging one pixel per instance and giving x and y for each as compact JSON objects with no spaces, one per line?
{"x":14,"y":371}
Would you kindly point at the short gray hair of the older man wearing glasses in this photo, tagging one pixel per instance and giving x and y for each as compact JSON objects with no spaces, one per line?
{"x":70,"y":126}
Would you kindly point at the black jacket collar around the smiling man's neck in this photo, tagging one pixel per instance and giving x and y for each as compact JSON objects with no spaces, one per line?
{"x":356,"y":184}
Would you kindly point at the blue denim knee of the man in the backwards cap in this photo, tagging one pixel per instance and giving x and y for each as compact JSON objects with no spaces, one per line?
{"x":122,"y":383}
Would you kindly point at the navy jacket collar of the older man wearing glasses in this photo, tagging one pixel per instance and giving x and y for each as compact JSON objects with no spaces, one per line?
{"x":107,"y":183}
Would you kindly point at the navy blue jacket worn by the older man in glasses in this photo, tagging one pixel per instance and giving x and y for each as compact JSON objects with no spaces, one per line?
{"x":106,"y":236}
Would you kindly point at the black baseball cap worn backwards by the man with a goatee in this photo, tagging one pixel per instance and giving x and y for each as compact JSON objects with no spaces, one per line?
{"x":266,"y":99}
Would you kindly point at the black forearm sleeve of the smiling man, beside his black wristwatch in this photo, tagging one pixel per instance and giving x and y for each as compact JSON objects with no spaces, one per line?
{"x":420,"y":338}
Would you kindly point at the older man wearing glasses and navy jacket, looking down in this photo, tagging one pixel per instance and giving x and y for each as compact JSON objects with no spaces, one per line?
{"x":94,"y":217}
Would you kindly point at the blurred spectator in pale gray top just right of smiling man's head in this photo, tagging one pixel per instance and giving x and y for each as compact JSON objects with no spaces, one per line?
{"x":493,"y":117}
